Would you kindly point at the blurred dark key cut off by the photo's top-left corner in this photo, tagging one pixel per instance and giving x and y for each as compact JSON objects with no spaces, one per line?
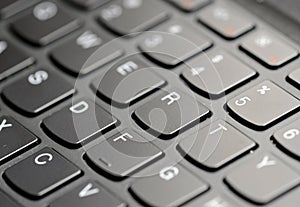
{"x":12,"y":7}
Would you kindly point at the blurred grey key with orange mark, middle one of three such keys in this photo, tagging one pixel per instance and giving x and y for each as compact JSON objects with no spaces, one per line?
{"x":226,"y":20}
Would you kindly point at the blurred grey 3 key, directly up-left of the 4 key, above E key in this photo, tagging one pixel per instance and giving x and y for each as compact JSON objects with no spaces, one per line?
{"x":159,"y":46}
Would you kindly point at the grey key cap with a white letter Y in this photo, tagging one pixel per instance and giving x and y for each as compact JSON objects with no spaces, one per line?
{"x":262,"y":179}
